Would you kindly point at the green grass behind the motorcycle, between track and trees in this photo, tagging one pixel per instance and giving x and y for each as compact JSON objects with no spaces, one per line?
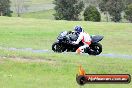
{"x":41,"y":33}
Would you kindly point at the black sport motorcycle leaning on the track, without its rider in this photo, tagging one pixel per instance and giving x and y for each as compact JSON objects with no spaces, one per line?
{"x":64,"y":43}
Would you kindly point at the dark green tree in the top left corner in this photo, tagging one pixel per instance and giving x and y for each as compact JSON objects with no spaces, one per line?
{"x":5,"y":8}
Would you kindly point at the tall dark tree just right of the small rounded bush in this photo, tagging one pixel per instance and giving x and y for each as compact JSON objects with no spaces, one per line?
{"x":113,"y":7}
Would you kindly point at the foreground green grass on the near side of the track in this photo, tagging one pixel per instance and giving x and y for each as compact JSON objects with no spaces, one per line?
{"x":61,"y":73}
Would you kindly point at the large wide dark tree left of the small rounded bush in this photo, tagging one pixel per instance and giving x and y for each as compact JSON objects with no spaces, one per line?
{"x":68,"y":9}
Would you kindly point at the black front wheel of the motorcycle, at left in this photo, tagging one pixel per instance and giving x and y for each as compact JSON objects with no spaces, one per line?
{"x":57,"y":47}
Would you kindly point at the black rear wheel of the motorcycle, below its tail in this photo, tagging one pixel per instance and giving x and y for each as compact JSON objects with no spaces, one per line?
{"x":95,"y":49}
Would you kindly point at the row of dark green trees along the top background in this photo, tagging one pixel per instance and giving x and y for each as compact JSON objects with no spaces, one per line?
{"x":74,"y":9}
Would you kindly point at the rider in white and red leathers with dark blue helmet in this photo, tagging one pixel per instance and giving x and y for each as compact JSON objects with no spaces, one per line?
{"x":84,"y":37}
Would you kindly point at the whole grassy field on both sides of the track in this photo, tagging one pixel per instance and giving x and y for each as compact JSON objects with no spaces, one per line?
{"x":25,"y":69}
